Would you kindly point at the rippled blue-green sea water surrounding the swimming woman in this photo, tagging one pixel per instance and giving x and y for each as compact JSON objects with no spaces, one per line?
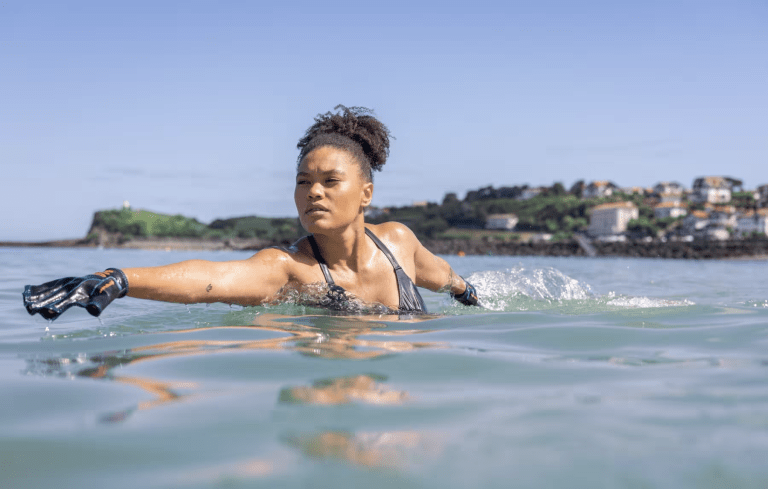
{"x":599,"y":373}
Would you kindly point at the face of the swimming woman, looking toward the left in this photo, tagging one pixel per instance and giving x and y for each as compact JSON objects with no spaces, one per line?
{"x":330,"y":191}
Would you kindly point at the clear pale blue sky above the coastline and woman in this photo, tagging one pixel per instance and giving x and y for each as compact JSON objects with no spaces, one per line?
{"x":195,"y":107}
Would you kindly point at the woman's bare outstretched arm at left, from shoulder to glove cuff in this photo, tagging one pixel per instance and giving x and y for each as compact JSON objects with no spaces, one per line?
{"x":245,"y":282}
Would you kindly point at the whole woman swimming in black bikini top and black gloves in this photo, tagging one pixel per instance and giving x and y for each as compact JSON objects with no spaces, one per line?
{"x":373,"y":264}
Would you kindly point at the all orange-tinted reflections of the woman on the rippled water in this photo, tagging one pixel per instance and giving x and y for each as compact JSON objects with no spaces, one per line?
{"x":322,"y":337}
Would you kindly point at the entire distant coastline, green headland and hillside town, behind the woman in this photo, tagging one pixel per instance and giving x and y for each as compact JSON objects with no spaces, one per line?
{"x":715,"y":218}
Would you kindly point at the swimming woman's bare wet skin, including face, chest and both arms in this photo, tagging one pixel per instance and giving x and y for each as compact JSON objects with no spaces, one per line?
{"x":330,"y":195}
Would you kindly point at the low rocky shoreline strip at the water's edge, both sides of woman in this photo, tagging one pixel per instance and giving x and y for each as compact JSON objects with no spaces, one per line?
{"x":756,"y":248}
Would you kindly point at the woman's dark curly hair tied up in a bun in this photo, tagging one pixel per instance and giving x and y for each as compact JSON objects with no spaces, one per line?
{"x":353,"y":129}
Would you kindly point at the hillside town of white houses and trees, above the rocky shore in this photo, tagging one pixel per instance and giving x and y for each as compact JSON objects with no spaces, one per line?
{"x":714,"y":208}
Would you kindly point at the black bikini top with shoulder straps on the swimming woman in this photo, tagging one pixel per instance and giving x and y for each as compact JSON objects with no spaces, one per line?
{"x":410,"y":299}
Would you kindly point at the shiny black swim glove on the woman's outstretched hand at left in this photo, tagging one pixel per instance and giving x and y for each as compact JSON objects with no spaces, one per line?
{"x":93,"y":292}
